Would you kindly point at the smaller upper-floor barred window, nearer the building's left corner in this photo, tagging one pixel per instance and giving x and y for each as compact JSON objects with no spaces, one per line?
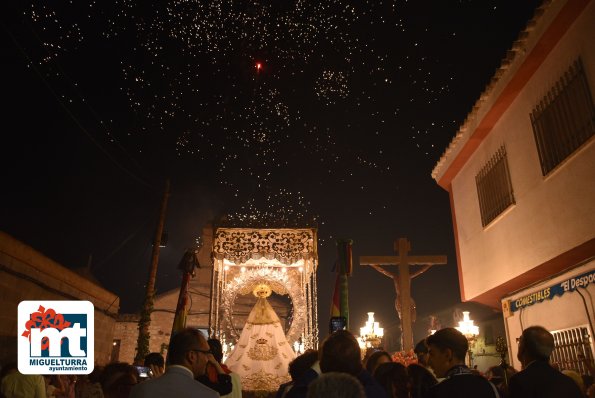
{"x":494,"y":187}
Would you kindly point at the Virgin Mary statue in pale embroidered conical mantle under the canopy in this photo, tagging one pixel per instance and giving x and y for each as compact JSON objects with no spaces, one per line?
{"x":262,"y":355}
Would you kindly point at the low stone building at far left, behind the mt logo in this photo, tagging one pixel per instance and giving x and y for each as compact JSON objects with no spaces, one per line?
{"x":26,"y":274}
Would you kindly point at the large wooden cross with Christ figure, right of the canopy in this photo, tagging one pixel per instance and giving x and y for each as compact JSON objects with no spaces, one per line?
{"x":402,"y":281}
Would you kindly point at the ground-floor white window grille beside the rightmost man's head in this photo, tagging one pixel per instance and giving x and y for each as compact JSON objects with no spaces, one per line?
{"x":569,"y":345}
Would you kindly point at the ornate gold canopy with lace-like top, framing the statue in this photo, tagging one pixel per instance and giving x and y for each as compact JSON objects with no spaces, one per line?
{"x":284,"y":259}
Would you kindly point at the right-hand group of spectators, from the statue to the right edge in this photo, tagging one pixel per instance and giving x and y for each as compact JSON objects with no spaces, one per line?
{"x":439,"y":372}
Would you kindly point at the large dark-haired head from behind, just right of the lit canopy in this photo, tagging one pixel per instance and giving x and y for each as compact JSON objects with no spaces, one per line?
{"x":340,"y":352}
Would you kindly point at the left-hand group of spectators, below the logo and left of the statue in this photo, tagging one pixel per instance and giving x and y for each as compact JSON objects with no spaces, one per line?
{"x":194,"y":370}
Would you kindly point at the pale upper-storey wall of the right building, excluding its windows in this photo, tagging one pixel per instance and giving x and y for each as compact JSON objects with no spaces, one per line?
{"x":552,"y":214}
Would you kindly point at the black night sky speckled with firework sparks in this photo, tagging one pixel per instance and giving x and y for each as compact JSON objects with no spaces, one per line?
{"x":279,"y":113}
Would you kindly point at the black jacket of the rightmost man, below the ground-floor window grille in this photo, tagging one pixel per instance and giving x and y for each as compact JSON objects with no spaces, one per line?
{"x":539,"y":379}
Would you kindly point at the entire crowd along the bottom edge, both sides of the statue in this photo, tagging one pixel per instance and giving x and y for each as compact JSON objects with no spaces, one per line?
{"x":195,"y":369}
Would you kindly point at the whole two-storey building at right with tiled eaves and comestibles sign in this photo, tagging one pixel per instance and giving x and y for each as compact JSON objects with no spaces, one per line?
{"x":521,"y":177}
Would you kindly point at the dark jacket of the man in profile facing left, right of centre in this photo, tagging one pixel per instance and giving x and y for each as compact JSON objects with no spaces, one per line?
{"x":461,"y":383}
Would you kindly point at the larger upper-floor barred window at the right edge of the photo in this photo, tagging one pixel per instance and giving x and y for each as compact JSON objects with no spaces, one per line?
{"x":564,"y":119}
